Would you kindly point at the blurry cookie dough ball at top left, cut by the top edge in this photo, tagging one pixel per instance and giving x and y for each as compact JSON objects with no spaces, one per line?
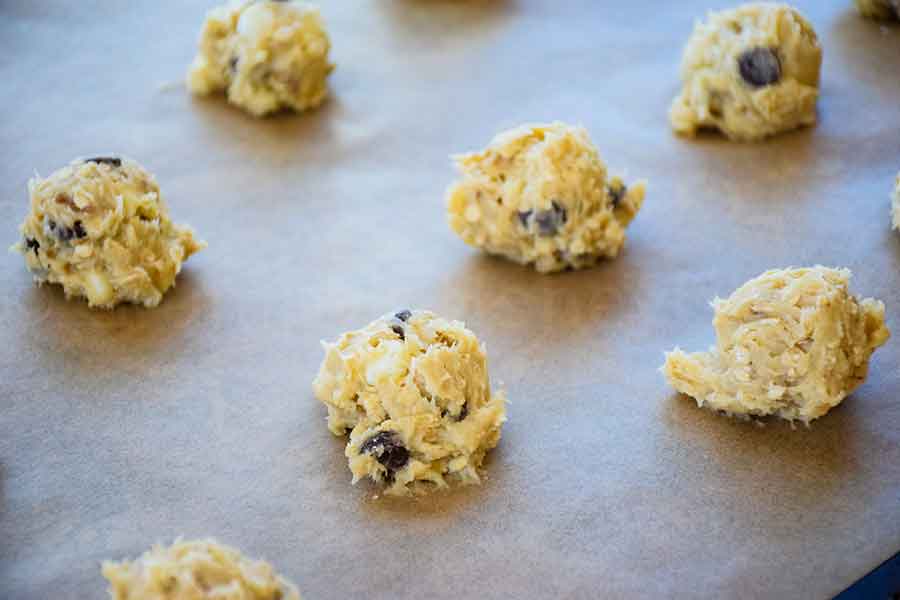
{"x":265,"y":55}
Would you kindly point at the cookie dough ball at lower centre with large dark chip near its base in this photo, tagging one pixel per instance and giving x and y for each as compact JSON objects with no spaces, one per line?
{"x":413,"y":391}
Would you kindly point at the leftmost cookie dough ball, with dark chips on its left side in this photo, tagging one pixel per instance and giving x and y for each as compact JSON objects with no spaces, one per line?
{"x":100,"y":228}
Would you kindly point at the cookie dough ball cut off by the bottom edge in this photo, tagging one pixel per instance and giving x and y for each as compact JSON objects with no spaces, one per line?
{"x":196,"y":570}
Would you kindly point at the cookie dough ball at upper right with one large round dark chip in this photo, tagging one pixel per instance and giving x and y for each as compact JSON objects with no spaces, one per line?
{"x":750,"y":72}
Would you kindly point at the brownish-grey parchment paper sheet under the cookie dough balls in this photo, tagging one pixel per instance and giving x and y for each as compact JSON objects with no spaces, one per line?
{"x":119,"y":429}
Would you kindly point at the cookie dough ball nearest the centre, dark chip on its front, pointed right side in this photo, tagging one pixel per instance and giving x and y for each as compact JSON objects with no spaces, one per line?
{"x":540,"y":195}
